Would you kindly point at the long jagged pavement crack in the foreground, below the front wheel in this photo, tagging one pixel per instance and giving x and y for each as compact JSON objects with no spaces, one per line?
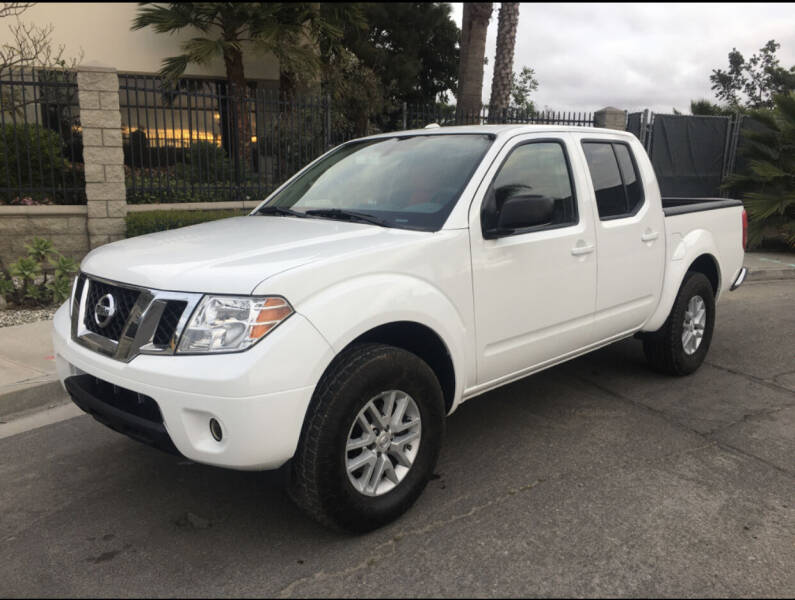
{"x":387,"y":548}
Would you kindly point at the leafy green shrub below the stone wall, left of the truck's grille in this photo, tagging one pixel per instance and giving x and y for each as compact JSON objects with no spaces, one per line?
{"x":41,"y":278}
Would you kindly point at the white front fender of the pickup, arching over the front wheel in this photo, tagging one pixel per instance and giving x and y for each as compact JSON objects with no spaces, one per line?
{"x":344,"y":311}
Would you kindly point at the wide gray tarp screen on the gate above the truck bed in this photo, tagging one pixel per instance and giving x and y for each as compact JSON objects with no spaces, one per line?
{"x":688,"y":154}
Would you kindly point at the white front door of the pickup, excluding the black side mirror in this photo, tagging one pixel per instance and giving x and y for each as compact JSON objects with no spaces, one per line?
{"x":534,"y":288}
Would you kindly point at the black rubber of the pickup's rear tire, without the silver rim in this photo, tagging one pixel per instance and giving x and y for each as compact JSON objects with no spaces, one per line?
{"x":663,"y":348}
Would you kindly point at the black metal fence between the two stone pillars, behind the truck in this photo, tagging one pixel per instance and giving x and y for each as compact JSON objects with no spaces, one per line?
{"x":199,"y":141}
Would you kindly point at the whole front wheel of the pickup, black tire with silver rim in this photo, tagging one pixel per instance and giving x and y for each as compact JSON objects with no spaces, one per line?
{"x":371,"y":438}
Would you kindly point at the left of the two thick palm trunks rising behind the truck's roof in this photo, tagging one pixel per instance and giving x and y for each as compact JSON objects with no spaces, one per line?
{"x":470,"y":70}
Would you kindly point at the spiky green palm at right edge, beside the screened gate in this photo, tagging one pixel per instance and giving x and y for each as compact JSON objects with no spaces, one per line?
{"x":768,"y":181}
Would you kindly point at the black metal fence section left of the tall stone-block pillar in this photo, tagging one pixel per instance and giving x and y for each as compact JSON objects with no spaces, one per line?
{"x":41,"y":148}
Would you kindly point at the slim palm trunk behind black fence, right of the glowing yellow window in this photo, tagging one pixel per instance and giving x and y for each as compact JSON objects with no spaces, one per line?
{"x":240,"y":144}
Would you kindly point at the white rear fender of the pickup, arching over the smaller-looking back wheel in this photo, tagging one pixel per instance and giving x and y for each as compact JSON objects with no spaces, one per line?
{"x":681,"y":253}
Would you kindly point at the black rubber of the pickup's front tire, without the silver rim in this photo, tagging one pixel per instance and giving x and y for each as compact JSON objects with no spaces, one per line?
{"x":318,"y":480}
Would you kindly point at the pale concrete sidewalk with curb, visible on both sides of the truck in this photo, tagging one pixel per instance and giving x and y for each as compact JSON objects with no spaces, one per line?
{"x":27,"y":365}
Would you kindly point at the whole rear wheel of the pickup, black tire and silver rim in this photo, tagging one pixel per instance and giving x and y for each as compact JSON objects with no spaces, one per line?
{"x":681,"y":344}
